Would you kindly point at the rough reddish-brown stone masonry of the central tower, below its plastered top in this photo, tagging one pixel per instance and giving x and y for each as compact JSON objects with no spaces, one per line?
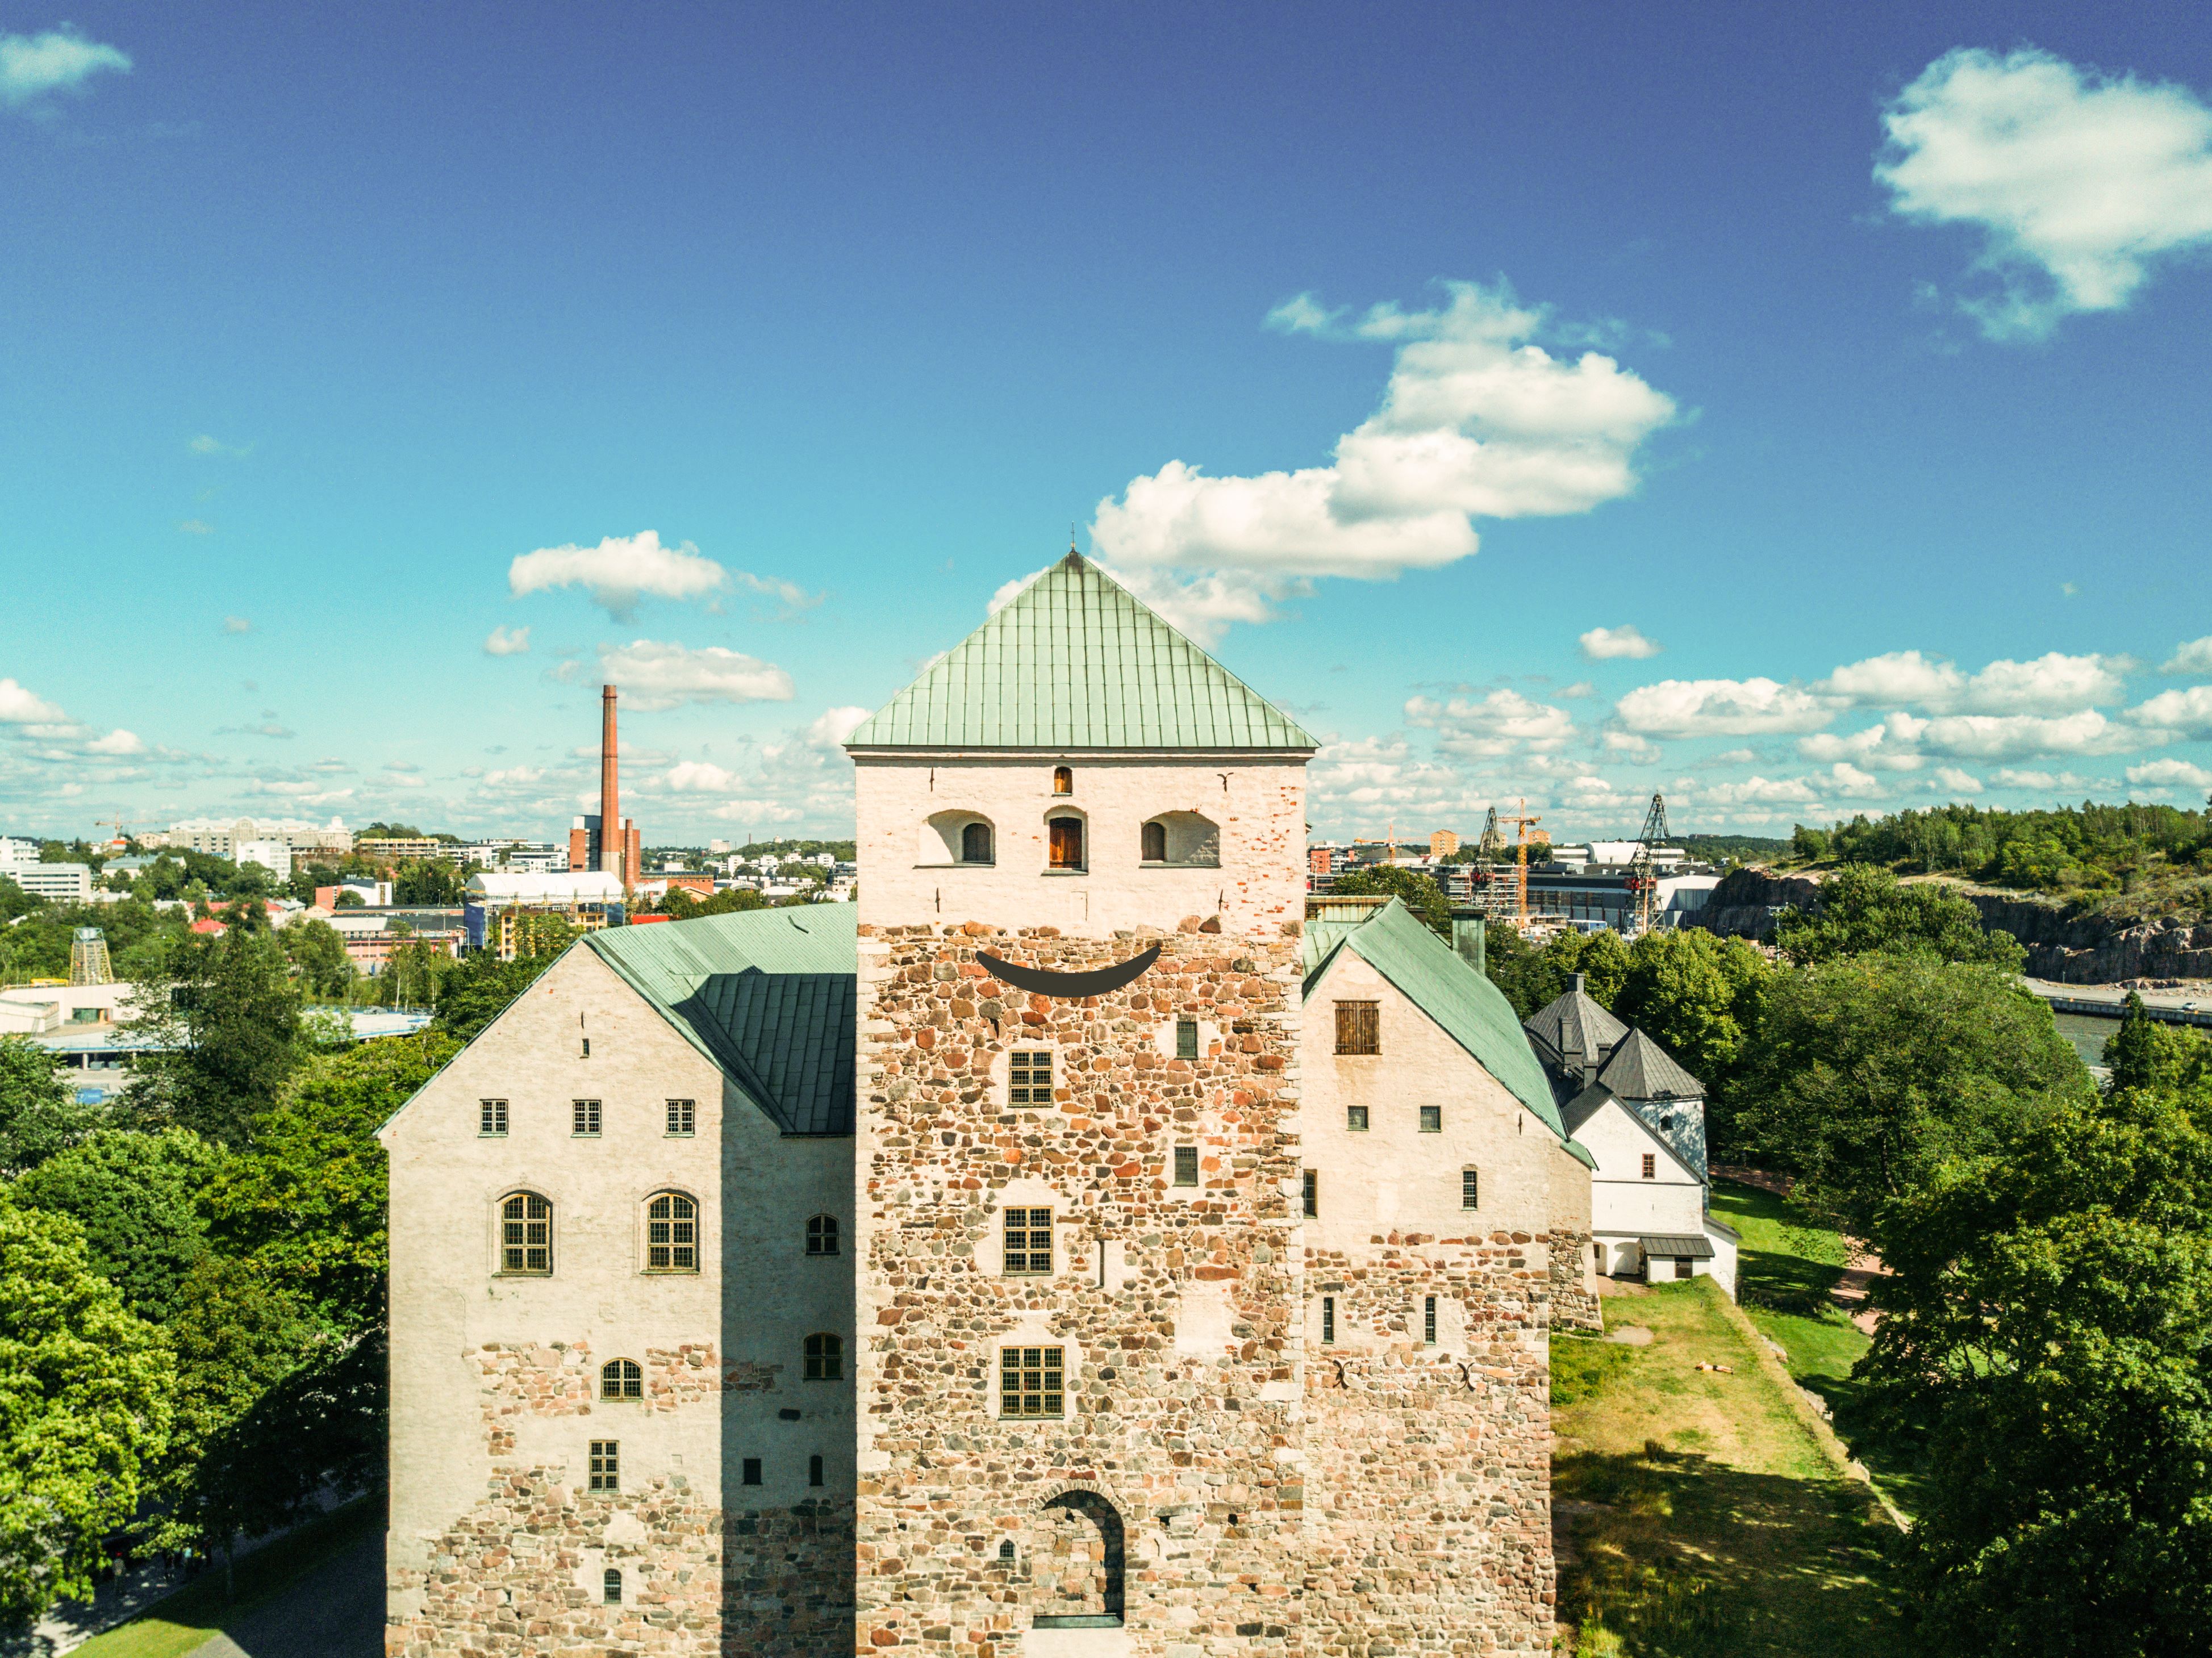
{"x":1180,"y":1312}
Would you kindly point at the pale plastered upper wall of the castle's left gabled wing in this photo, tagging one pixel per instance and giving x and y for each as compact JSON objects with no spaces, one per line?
{"x":753,"y":1301}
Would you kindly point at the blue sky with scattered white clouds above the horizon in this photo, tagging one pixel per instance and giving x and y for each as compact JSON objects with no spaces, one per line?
{"x":1824,"y":397}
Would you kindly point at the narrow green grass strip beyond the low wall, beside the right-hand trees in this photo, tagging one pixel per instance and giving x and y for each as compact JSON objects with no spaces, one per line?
{"x":1784,"y":1279}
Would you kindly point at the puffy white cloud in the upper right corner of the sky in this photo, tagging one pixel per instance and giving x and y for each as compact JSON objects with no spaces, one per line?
{"x":2078,"y":180}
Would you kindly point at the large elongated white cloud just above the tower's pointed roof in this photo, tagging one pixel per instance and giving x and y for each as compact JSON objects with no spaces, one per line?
{"x":1479,"y":421}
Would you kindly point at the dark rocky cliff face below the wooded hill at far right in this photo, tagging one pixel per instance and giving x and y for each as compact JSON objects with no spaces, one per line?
{"x":2063,"y":947}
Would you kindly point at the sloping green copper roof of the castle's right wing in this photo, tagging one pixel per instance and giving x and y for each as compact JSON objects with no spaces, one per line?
{"x":1463,"y":1003}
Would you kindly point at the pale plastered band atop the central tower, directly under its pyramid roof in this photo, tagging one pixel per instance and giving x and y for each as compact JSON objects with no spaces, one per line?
{"x":910,"y":810}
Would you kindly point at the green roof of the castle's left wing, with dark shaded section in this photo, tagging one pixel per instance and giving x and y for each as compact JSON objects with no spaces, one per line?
{"x":769,"y":996}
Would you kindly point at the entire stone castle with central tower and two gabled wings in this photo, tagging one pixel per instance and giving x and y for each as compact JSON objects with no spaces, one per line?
{"x":1072,"y":1250}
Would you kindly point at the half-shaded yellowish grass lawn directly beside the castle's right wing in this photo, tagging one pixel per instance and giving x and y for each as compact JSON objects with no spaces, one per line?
{"x":1698,"y":1513}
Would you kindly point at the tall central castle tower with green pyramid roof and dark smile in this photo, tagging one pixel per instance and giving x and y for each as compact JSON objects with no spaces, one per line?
{"x":1076,"y":1168}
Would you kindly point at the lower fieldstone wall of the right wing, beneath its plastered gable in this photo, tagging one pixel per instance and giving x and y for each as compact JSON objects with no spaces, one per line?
{"x":1430,"y":1467}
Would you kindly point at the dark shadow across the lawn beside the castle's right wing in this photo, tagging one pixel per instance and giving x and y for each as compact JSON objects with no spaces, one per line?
{"x":1671,"y":1555}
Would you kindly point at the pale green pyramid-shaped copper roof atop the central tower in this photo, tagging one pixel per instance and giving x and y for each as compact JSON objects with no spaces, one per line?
{"x":1076,"y":662}
